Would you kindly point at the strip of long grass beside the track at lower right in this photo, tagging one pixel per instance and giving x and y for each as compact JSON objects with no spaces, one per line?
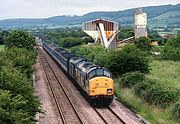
{"x":153,"y":114}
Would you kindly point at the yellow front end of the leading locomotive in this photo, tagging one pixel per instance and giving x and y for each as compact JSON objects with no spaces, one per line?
{"x":101,"y":87}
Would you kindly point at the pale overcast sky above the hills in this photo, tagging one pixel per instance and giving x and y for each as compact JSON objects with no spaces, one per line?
{"x":48,"y":8}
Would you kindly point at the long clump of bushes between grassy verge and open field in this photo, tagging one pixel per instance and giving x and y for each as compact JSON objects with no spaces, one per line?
{"x":150,"y":90}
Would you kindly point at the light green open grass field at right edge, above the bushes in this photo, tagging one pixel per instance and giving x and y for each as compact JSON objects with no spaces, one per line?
{"x":166,"y":72}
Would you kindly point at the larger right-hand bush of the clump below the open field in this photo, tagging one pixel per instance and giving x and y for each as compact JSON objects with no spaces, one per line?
{"x":156,"y":93}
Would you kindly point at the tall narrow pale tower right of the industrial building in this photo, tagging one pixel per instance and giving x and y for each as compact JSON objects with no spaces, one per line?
{"x":140,"y":19}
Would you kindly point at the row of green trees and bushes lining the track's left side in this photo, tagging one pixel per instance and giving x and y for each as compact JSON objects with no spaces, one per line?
{"x":18,"y":103}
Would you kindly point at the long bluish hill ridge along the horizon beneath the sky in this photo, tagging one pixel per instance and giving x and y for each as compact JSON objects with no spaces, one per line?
{"x":166,"y":15}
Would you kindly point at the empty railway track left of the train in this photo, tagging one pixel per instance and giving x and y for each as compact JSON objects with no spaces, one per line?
{"x":66,"y":109}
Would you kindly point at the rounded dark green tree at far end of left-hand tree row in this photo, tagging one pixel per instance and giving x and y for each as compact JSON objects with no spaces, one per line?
{"x":20,"y":39}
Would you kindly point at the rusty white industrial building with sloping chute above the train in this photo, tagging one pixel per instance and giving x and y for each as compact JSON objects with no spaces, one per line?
{"x":102,"y":30}
